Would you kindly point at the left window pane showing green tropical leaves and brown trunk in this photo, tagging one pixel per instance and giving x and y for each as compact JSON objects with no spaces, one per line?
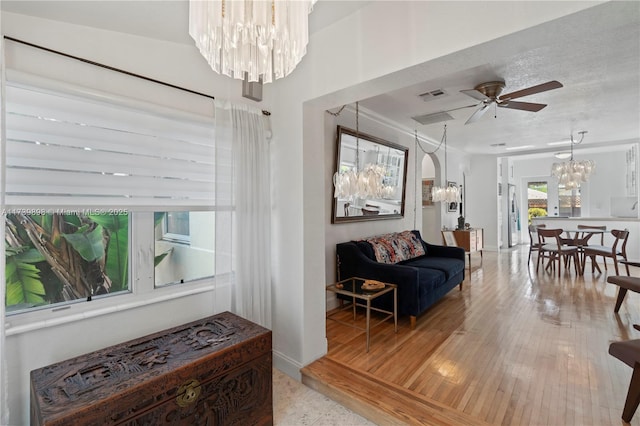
{"x":59,"y":258}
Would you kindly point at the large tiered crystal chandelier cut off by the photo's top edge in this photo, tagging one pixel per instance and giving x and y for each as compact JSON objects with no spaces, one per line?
{"x":264,"y":39}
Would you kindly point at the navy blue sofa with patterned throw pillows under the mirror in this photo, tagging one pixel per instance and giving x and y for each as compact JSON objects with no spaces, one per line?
{"x":423,"y":272}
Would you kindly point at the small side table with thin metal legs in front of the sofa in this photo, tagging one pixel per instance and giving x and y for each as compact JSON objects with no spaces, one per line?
{"x":352,"y":287}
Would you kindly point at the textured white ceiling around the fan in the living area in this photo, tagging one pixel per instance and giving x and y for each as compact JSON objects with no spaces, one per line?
{"x":595,"y":54}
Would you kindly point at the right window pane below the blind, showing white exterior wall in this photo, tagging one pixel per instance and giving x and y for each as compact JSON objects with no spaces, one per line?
{"x":180,"y":261}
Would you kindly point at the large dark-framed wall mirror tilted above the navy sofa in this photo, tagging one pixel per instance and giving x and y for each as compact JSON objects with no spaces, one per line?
{"x":362,"y":153}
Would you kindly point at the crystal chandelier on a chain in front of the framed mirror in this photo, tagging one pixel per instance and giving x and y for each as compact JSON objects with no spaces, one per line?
{"x":365,"y":183}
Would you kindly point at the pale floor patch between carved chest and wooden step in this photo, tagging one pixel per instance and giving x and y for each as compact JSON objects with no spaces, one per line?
{"x":295,"y":404}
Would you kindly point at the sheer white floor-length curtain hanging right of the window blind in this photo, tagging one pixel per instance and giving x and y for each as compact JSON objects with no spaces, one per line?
{"x":251,"y":198}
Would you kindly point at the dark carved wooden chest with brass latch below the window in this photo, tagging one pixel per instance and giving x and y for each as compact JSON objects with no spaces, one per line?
{"x":215,"y":371}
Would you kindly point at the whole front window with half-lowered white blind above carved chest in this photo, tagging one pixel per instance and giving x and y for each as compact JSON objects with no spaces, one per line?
{"x":84,"y":174}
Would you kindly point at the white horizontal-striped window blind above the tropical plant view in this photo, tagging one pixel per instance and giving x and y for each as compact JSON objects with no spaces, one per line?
{"x":81,"y":152}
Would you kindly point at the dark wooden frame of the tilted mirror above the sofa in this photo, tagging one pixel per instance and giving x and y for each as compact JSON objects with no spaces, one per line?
{"x":372,"y":139}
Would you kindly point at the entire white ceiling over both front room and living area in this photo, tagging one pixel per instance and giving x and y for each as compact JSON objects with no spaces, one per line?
{"x":595,"y":54}
